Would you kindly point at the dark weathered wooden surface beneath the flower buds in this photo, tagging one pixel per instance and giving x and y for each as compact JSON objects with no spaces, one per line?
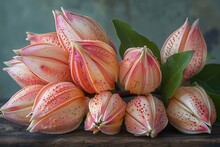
{"x":12,"y":134}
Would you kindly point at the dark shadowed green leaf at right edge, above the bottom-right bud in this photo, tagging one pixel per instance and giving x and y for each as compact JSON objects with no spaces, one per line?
{"x":209,"y":78}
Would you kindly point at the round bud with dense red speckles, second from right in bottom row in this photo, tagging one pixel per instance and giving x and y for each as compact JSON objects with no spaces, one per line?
{"x":145,"y":116}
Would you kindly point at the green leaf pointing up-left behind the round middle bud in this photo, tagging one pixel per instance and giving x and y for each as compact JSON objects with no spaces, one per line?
{"x":130,"y":38}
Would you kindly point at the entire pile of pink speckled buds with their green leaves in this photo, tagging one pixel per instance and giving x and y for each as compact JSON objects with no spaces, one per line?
{"x":74,"y":73}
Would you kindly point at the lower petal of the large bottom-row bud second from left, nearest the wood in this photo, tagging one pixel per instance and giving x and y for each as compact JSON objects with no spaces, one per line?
{"x":64,"y":120}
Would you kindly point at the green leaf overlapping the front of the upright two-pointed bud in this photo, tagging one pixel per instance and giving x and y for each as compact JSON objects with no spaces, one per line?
{"x":172,"y":73}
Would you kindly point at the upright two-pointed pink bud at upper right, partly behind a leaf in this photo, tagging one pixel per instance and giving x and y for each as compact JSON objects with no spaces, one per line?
{"x":183,"y":39}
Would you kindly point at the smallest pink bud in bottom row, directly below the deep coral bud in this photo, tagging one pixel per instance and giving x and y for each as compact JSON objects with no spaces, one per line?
{"x":106,"y":113}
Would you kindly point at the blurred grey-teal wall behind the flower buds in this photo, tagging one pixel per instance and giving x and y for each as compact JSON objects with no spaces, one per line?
{"x":154,"y":19}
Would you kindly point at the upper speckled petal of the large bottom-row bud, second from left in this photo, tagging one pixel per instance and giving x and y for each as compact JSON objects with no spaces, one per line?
{"x":53,"y":96}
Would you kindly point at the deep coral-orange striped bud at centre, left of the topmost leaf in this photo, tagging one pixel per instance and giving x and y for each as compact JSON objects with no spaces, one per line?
{"x":94,"y":66}
